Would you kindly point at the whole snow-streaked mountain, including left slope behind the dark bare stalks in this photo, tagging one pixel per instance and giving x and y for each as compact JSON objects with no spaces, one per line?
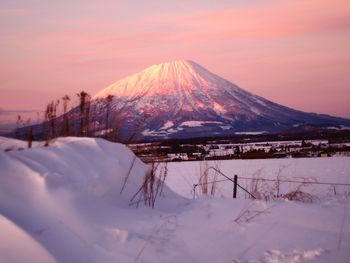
{"x":180,"y":100}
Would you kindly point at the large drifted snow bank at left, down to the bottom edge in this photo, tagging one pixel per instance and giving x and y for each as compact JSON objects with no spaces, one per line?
{"x":55,"y":196}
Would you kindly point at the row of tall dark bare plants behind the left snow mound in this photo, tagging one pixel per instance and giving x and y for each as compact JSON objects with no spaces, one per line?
{"x":89,"y":118}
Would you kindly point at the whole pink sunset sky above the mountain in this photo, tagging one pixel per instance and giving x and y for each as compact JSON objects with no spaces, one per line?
{"x":296,"y":53}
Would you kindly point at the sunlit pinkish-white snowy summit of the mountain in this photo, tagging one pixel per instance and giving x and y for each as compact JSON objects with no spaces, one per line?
{"x":172,"y":77}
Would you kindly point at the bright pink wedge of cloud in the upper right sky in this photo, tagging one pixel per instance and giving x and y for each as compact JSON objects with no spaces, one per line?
{"x":287,"y":18}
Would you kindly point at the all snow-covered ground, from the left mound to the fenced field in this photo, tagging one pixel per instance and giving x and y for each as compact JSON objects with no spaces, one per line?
{"x":63,"y":203}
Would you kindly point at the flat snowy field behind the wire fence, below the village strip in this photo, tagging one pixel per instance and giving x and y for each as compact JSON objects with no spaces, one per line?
{"x":306,"y":174}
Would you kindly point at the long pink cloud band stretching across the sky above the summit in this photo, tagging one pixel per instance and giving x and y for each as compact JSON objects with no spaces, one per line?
{"x":287,"y":19}
